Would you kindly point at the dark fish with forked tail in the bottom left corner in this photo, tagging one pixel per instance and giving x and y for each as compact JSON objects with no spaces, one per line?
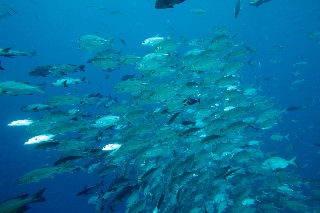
{"x":20,"y":203}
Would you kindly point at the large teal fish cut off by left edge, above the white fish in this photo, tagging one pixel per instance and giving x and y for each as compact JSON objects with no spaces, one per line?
{"x":13,"y":88}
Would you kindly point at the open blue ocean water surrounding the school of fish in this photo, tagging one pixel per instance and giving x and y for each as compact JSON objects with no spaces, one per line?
{"x":52,"y":28}
